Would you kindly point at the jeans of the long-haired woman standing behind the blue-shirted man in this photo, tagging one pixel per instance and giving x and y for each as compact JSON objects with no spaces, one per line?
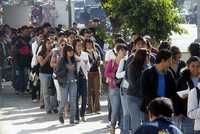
{"x":137,"y":116}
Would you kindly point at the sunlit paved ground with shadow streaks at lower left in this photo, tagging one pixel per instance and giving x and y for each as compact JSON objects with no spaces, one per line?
{"x":18,"y":115}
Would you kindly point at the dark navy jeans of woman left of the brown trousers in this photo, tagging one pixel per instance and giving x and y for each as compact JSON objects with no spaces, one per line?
{"x":81,"y":92}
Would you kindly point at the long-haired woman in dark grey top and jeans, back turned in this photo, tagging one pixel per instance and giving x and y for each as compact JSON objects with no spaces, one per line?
{"x":135,"y":96}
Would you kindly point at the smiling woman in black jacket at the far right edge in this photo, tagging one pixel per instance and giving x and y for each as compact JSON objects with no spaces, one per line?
{"x":188,"y":80}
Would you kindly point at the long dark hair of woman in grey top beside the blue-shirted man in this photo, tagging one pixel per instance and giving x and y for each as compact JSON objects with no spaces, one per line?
{"x":139,"y":59}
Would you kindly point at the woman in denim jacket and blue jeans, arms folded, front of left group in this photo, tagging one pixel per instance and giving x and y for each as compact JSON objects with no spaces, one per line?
{"x":66,"y":74}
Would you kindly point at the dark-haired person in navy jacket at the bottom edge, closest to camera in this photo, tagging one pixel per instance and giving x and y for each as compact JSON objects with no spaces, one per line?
{"x":159,"y":110}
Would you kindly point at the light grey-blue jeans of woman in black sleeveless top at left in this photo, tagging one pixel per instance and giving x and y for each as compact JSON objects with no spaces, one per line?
{"x":49,"y":101}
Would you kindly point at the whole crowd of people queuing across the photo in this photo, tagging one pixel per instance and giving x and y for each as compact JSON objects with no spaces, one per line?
{"x":63,"y":69}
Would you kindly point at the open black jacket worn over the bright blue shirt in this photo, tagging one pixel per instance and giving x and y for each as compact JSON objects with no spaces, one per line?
{"x":149,"y":85}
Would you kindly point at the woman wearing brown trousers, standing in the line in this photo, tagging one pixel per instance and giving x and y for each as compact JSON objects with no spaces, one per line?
{"x":93,"y":77}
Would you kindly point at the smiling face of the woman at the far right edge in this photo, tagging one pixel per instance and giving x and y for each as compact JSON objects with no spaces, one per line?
{"x":194,"y":68}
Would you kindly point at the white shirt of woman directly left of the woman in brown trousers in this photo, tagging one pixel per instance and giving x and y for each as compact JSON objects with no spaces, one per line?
{"x":84,"y":66}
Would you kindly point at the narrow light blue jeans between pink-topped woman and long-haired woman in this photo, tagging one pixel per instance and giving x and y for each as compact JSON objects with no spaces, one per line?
{"x":126,"y":114}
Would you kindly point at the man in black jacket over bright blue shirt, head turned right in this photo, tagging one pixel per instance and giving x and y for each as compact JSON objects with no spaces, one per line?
{"x":158,"y":81}
